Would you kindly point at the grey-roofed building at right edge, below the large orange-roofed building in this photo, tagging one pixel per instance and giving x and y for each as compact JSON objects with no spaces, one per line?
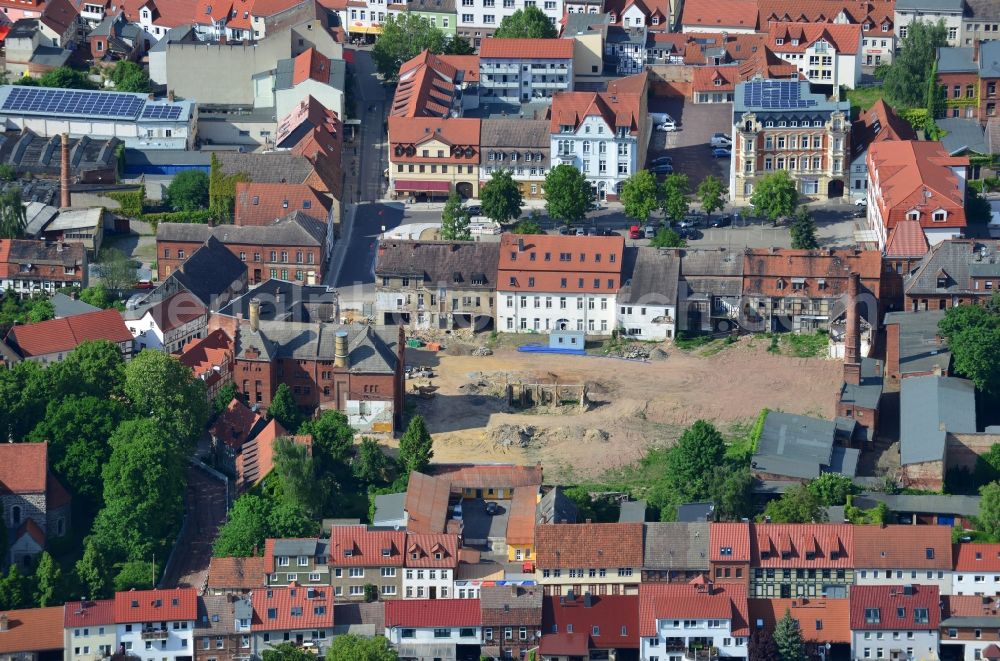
{"x":953,"y":273}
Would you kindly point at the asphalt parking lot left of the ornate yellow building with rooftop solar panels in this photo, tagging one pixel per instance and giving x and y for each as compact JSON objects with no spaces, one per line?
{"x":689,"y":145}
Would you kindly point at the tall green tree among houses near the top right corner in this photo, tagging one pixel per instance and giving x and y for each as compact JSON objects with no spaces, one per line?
{"x":906,"y":80}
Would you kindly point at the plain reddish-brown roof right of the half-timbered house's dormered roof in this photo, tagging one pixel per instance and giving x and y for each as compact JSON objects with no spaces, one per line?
{"x":902,"y":547}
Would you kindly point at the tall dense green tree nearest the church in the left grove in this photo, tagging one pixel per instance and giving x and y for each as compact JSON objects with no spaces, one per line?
{"x":144,"y":482}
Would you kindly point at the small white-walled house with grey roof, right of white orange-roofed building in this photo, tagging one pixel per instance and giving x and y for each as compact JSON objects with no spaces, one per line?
{"x":647,"y":302}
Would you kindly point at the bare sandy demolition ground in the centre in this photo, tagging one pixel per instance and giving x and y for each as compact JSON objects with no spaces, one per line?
{"x":634,"y":405}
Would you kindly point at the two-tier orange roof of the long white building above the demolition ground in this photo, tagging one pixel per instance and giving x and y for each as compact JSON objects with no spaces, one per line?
{"x":601,"y":261}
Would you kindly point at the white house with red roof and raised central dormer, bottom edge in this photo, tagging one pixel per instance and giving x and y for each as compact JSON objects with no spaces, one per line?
{"x":694,"y":620}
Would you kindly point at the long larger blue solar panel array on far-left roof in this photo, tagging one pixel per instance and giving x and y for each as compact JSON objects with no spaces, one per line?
{"x":73,"y":102}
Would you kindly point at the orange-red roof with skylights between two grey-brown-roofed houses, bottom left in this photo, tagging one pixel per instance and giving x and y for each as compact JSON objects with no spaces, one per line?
{"x":292,"y":607}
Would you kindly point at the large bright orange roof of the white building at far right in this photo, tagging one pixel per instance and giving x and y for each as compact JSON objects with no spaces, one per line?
{"x":911,"y":175}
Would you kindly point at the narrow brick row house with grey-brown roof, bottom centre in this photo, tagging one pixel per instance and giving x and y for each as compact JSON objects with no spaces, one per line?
{"x":511,"y":618}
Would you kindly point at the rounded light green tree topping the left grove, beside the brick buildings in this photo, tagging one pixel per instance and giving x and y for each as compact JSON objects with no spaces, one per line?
{"x":159,"y":386}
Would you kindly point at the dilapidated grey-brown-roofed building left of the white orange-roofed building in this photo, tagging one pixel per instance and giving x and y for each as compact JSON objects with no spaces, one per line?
{"x":436,"y":284}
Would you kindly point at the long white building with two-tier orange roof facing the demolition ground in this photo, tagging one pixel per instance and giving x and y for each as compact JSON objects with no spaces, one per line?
{"x":557,"y":282}
